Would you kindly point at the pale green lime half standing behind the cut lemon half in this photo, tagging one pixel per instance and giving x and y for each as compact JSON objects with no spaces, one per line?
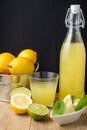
{"x":22,"y":90}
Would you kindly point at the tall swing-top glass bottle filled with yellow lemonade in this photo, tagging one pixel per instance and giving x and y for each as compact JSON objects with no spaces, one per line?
{"x":72,"y":55}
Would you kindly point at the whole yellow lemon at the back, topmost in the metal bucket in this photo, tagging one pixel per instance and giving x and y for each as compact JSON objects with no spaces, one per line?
{"x":30,"y":54}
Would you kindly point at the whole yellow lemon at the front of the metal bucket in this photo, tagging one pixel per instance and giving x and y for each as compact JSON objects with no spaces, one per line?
{"x":21,"y":65}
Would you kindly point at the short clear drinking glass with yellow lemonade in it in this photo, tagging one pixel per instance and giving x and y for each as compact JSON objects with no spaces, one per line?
{"x":43,"y":87}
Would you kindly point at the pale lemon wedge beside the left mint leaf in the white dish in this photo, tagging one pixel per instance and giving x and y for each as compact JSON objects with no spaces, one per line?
{"x":68,"y":104}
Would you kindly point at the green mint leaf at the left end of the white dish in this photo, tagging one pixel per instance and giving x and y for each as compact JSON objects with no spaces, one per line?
{"x":58,"y":108}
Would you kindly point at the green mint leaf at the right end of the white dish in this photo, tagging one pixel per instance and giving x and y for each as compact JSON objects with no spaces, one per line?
{"x":82,"y":102}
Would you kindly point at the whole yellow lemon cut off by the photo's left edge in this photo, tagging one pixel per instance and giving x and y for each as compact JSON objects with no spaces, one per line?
{"x":5,"y":59}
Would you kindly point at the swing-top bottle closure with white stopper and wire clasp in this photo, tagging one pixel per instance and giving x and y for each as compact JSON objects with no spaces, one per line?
{"x":74,"y":17}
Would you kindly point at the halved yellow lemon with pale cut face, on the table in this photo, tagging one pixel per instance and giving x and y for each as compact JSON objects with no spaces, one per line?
{"x":20,"y":102}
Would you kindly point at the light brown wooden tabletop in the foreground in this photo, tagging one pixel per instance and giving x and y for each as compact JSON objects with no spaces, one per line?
{"x":11,"y":121}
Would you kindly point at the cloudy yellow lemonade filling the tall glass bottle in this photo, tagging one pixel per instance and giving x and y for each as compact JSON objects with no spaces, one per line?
{"x":72,"y":70}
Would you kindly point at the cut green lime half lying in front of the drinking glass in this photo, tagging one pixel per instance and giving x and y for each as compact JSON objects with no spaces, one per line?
{"x":37,"y":111}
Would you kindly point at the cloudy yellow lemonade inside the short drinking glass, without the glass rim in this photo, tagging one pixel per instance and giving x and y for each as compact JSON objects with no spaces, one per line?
{"x":44,"y":92}
